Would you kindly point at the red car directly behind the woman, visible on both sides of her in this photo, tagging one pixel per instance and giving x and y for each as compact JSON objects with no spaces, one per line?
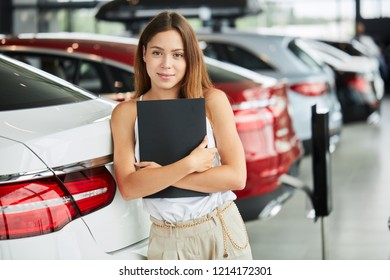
{"x":104,"y":66}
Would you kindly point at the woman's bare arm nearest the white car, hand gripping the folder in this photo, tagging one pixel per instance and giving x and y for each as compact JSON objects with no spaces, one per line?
{"x":147,"y":177}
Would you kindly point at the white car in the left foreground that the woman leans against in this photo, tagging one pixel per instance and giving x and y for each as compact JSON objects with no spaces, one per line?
{"x":58,"y":196}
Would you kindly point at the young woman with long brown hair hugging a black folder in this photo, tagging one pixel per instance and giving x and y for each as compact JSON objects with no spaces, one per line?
{"x":169,"y":65}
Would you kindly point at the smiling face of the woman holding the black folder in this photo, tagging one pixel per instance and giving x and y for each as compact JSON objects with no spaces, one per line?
{"x":165,"y":61}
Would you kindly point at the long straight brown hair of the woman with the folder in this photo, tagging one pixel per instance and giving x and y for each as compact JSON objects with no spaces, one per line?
{"x":196,"y":80}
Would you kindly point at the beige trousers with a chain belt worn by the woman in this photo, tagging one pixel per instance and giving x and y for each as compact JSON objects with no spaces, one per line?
{"x":220,"y":235}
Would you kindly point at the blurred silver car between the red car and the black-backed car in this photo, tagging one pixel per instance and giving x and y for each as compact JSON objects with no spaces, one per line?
{"x":310,"y":81}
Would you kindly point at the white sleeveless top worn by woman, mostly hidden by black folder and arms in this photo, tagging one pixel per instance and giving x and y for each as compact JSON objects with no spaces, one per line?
{"x":184,"y":208}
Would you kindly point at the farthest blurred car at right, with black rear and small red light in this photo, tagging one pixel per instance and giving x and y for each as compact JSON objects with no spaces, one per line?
{"x":360,"y":87}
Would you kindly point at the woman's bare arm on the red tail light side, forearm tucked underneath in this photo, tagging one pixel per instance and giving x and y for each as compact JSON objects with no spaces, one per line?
{"x":231,"y":175}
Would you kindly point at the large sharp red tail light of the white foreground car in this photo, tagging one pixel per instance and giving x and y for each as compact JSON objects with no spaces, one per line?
{"x":42,"y":206}
